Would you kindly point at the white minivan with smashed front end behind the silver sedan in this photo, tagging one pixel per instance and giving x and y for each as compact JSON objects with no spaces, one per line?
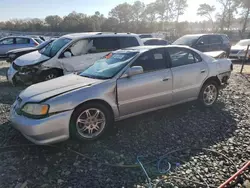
{"x":69,"y":53}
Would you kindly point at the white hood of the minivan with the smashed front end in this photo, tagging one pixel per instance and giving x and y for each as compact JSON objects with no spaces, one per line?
{"x":31,"y":59}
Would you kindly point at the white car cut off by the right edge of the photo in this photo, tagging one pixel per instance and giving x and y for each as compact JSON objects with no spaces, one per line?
{"x":238,"y":51}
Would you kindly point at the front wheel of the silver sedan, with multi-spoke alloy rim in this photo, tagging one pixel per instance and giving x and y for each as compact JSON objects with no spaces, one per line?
{"x":81,"y":125}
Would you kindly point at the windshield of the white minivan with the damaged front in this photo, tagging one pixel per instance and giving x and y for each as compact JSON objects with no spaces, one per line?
{"x":54,"y":47}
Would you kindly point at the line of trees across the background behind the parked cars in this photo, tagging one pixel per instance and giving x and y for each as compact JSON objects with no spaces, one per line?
{"x":161,"y":15}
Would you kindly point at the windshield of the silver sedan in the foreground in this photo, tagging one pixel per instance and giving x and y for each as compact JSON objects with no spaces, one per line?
{"x":109,"y":66}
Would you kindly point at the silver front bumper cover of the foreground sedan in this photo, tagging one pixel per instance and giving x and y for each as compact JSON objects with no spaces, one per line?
{"x":44,"y":131}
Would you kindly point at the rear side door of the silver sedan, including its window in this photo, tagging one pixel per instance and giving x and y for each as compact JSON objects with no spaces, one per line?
{"x":189,"y":72}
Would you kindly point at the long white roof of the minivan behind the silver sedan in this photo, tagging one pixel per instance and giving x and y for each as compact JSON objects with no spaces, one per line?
{"x":101,"y":34}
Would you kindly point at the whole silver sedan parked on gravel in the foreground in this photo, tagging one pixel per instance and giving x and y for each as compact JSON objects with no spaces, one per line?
{"x":122,"y":84}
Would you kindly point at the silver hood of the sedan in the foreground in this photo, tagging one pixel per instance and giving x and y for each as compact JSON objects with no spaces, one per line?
{"x":44,"y":90}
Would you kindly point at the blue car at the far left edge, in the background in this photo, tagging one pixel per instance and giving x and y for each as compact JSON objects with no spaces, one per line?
{"x":15,"y":42}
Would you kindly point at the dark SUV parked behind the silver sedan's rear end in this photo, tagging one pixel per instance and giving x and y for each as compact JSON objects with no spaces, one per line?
{"x":206,"y":42}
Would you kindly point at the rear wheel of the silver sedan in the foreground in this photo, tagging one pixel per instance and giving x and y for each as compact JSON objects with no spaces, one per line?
{"x":209,"y":93}
